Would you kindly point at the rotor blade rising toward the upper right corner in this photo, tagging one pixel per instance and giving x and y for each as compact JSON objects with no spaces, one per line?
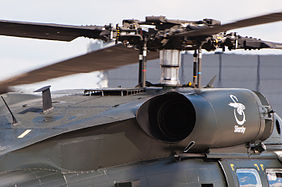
{"x":268,"y":18}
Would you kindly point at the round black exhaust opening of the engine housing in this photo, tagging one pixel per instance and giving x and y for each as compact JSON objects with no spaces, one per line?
{"x":170,"y":117}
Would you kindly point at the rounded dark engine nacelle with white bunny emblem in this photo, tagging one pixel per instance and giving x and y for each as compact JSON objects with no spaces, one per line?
{"x":209,"y":117}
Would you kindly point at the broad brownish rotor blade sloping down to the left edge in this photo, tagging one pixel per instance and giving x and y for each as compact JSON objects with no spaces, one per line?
{"x":104,"y":59}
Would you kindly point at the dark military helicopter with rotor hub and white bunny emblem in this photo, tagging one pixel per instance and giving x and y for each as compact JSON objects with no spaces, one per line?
{"x":163,"y":134}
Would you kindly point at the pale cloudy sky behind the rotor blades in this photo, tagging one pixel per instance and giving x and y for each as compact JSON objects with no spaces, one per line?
{"x":18,"y":55}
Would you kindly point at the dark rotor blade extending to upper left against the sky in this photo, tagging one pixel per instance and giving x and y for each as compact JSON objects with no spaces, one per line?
{"x":48,"y":31}
